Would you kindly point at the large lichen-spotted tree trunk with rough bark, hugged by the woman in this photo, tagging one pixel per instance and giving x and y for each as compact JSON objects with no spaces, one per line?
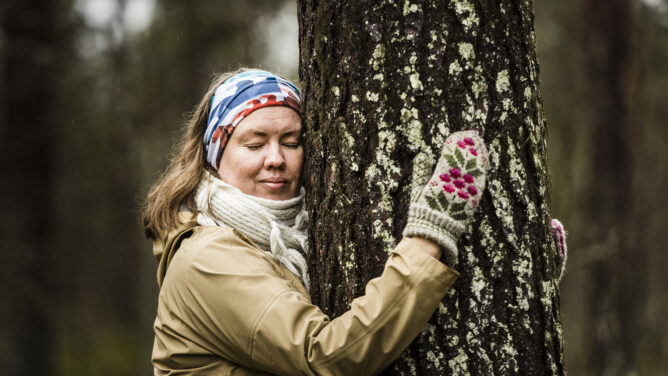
{"x":384,"y":83}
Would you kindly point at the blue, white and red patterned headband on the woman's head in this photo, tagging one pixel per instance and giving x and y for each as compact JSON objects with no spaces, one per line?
{"x":236,"y":98}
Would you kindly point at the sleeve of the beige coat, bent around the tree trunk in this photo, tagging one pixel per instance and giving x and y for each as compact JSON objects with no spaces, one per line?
{"x":253,"y":317}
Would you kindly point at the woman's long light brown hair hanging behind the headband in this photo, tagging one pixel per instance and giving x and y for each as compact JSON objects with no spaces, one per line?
{"x":177,"y":184}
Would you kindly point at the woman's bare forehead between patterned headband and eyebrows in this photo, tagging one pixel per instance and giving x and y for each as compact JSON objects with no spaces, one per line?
{"x":269,"y":120}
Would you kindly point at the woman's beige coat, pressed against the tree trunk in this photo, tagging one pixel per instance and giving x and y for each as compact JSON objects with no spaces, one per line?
{"x":227,"y":308}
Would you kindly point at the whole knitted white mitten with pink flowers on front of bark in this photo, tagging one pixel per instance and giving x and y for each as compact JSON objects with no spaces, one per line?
{"x":446,"y":204}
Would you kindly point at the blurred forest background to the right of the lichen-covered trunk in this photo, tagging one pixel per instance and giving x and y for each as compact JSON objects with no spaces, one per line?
{"x":605,"y":83}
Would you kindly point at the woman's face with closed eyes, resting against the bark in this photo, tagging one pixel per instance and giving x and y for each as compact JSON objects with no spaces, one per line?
{"x":264,"y":156}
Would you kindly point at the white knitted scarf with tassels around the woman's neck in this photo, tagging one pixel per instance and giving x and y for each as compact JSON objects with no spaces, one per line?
{"x":278,"y":227}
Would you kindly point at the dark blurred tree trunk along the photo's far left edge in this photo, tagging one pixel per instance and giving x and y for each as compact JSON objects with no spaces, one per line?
{"x":36,"y":37}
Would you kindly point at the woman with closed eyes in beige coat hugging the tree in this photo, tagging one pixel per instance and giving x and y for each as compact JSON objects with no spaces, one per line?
{"x":229,"y":230}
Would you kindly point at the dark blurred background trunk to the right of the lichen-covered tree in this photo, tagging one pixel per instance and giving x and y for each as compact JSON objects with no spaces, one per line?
{"x":618,"y":277}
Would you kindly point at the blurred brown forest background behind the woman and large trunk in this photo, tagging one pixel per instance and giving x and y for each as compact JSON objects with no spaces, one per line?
{"x":93,"y":93}
